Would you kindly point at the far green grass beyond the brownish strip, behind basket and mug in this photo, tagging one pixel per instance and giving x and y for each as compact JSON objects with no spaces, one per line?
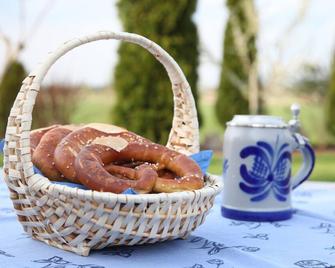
{"x":96,"y":107}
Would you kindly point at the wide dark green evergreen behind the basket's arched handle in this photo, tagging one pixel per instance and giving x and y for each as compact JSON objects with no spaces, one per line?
{"x":144,"y":96}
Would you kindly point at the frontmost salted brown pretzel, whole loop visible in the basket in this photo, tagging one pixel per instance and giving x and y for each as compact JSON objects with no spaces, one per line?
{"x":91,"y":160}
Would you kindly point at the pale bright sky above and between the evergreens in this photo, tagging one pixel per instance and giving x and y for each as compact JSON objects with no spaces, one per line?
{"x":281,"y":43}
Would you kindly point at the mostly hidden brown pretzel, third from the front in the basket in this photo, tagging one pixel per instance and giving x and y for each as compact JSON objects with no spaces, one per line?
{"x":43,"y":156}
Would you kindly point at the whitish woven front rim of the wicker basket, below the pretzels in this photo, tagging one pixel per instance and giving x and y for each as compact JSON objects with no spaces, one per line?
{"x":213,"y":185}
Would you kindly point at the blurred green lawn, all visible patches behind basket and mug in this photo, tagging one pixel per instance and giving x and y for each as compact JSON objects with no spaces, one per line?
{"x":96,"y":107}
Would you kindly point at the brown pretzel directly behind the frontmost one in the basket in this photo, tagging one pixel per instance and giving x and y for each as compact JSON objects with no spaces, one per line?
{"x":68,"y":149}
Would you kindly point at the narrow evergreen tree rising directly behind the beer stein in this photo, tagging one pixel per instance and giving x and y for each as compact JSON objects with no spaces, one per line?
{"x":233,"y":88}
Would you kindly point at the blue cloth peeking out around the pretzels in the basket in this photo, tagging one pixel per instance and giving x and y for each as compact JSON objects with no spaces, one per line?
{"x":203,"y":159}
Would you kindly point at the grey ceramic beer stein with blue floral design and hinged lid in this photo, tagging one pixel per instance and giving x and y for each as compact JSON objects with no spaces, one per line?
{"x":257,"y":167}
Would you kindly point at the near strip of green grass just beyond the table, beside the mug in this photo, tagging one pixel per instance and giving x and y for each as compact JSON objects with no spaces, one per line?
{"x":324,"y":169}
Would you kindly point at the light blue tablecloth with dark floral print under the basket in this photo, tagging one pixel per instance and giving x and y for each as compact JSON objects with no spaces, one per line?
{"x":307,"y":240}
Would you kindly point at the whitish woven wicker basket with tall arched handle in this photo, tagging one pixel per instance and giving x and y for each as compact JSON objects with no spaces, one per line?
{"x":79,"y":220}
